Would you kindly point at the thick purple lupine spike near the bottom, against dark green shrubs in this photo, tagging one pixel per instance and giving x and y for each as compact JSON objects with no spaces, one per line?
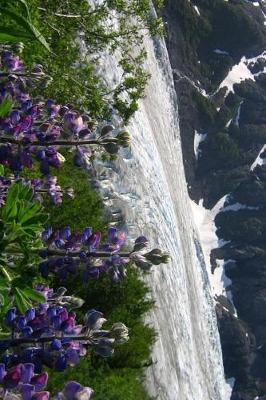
{"x":48,"y":335}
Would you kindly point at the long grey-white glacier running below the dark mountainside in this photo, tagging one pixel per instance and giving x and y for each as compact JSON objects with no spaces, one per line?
{"x":147,"y":183}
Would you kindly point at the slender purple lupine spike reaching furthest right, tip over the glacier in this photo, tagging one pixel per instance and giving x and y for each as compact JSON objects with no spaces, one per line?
{"x":68,"y":253}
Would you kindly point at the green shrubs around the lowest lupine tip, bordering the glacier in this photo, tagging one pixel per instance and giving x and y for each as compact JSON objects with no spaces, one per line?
{"x":120,"y":377}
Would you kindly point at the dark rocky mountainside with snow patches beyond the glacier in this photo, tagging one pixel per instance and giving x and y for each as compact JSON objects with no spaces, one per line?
{"x":218,"y":55}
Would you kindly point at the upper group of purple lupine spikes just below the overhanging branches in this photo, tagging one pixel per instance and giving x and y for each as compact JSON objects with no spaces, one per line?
{"x":36,"y":129}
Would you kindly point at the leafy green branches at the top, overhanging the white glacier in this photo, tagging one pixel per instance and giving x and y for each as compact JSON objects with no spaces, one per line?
{"x":75,"y":80}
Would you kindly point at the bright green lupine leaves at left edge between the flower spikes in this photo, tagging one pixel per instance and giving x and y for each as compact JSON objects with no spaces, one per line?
{"x":21,"y":223}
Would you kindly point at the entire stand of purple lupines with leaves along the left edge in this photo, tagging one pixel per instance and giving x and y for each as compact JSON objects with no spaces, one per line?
{"x":41,"y":329}
